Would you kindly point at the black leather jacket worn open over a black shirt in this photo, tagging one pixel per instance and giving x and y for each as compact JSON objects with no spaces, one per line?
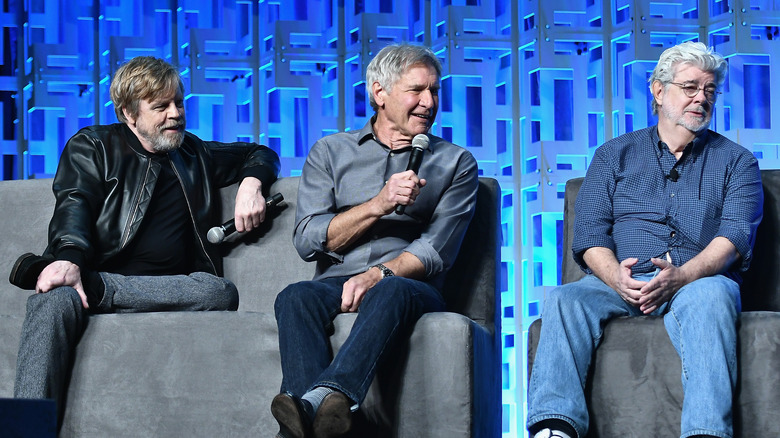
{"x":105,"y":180}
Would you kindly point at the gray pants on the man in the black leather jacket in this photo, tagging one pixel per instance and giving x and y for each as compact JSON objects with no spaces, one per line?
{"x":56,"y":320}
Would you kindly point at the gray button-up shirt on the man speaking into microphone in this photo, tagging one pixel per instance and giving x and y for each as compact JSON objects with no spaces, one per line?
{"x":349,"y":168}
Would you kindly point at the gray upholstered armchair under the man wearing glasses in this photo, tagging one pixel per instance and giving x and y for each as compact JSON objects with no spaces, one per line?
{"x":634,"y":387}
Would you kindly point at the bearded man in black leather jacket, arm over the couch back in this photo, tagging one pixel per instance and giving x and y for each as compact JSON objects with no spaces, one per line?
{"x":134,"y":202}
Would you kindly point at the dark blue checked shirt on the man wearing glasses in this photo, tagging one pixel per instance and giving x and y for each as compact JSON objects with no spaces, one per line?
{"x":629,"y":203}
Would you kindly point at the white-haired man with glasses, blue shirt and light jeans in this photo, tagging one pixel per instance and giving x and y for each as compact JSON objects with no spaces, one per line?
{"x":665,"y":223}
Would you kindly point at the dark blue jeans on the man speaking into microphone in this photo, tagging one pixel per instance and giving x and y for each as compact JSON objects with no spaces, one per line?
{"x":386,"y":316}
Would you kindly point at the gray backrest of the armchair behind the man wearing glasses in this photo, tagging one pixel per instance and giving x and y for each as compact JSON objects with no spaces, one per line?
{"x":760,"y":286}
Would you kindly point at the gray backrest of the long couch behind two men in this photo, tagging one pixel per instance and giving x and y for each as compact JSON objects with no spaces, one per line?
{"x":263,"y":262}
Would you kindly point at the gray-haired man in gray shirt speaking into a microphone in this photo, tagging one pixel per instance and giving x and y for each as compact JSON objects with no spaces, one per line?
{"x":383,"y":239}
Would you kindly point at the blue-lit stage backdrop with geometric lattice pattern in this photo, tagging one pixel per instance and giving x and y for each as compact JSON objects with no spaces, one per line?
{"x":530,"y":87}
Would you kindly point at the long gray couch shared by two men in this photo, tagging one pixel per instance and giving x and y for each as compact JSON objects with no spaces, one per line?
{"x":215,"y":373}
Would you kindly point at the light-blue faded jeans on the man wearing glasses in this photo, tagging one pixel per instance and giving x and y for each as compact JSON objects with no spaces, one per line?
{"x":701,"y":322}
